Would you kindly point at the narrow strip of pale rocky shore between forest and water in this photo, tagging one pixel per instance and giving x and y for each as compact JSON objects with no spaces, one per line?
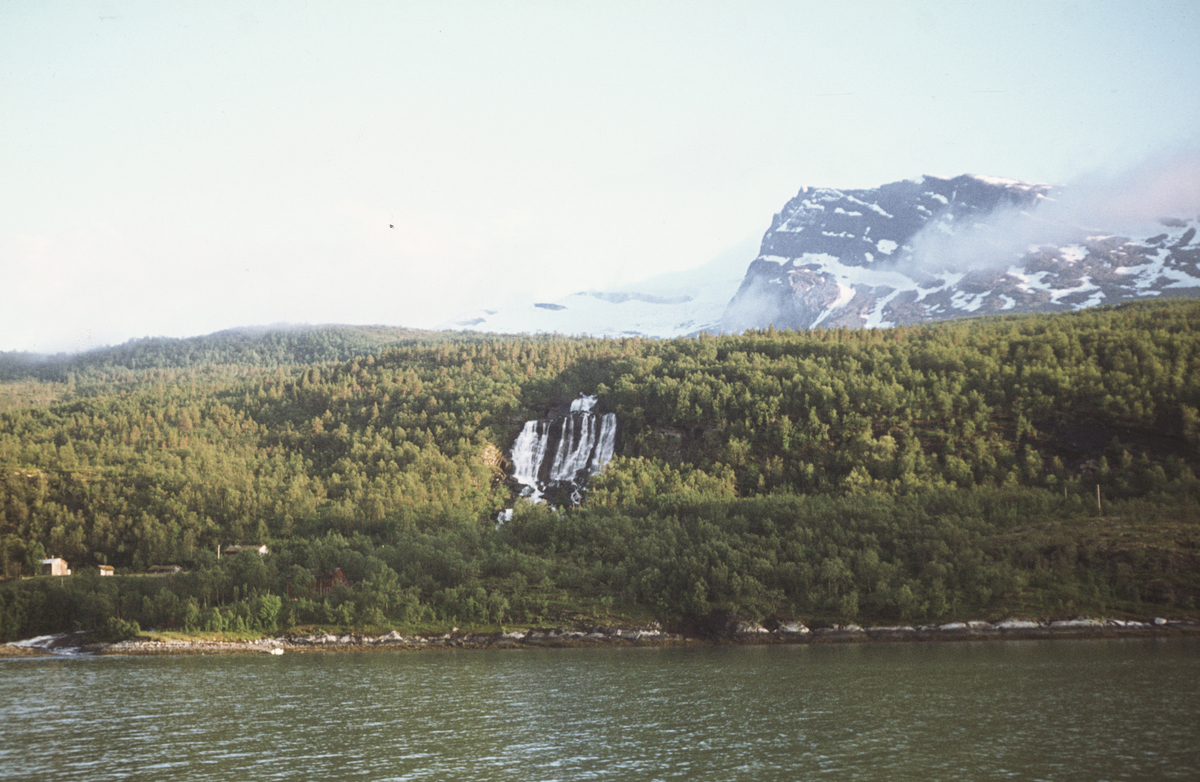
{"x":733,"y":634}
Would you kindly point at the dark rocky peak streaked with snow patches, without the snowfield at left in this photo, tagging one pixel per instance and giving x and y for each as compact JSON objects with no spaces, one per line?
{"x":939,"y":249}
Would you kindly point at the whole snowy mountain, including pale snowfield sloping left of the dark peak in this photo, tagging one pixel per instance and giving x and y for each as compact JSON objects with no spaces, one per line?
{"x":902,"y":254}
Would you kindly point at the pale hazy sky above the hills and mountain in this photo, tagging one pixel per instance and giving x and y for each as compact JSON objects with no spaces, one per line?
{"x":176,"y":170}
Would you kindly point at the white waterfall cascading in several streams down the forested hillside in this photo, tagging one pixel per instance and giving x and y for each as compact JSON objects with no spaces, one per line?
{"x":562,"y":453}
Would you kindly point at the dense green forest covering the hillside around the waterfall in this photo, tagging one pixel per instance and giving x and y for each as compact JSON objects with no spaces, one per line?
{"x":1041,"y":465}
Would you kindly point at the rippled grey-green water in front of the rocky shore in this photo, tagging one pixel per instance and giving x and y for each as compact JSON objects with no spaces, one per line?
{"x":1024,"y":711}
